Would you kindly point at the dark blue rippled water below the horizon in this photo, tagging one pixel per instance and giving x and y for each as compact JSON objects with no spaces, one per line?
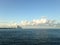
{"x":29,"y":36}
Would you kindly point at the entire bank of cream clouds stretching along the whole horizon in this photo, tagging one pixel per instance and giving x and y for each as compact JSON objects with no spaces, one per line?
{"x":43,"y":20}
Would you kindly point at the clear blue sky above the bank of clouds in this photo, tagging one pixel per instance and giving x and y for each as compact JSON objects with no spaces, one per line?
{"x":17,"y":10}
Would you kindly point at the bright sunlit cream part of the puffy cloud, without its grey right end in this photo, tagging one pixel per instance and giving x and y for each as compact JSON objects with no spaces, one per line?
{"x":33,"y":22}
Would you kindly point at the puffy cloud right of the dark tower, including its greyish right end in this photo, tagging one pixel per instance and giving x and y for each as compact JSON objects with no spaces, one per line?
{"x":43,"y":20}
